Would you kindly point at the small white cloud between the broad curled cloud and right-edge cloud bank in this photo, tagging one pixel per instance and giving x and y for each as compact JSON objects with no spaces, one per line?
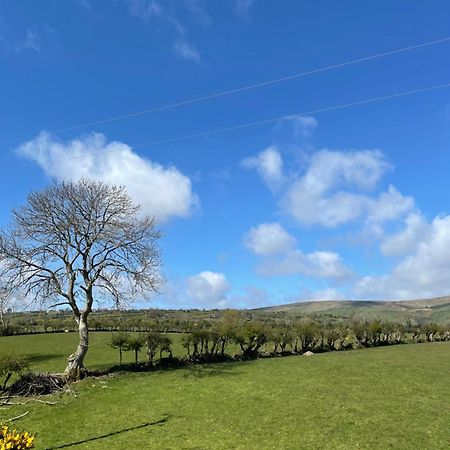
{"x":406,"y":241}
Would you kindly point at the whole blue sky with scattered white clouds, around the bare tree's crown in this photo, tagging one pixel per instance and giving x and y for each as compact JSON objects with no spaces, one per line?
{"x":352,"y":203}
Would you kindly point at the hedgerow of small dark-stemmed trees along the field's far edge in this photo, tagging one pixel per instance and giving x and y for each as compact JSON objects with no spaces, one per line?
{"x":215,"y":341}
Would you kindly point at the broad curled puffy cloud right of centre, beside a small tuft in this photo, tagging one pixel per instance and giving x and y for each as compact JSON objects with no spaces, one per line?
{"x":334,"y":190}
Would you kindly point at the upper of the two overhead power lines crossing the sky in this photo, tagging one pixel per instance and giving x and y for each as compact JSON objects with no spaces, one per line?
{"x":243,"y":88}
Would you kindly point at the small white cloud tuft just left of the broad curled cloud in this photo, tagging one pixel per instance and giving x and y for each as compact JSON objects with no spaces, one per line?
{"x":269,"y":166}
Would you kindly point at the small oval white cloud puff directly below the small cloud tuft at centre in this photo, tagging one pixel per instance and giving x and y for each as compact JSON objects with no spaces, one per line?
{"x":269,"y":239}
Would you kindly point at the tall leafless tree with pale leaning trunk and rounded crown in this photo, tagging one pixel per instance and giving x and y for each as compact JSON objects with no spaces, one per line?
{"x":73,"y":242}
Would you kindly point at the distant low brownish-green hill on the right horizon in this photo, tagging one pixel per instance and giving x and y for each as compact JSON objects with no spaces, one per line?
{"x":434,"y":309}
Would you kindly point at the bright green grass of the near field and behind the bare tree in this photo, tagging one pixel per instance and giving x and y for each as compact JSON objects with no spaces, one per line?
{"x":391,"y":397}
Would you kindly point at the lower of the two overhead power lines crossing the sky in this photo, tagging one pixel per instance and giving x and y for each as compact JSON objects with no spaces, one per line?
{"x":273,"y":119}
